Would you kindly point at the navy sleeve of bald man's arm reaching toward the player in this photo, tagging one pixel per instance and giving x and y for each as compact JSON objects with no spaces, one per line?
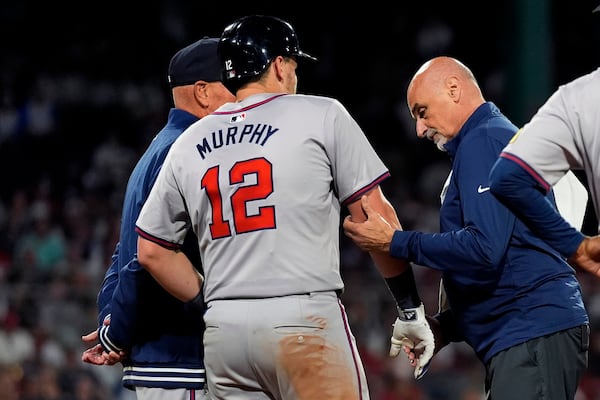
{"x":475,"y":227}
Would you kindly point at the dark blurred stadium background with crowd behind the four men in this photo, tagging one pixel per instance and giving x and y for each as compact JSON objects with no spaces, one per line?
{"x":83,"y":90}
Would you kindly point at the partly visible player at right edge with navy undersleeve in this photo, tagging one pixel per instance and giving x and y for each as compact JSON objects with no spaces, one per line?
{"x":563,"y":135}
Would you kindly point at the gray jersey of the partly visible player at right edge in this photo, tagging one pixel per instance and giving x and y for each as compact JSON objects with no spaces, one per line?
{"x":565,"y":135}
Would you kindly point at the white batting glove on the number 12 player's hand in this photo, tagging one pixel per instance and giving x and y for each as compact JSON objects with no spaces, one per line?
{"x":412,"y":329}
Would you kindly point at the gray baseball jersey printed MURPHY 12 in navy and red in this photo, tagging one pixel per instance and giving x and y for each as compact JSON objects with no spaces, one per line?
{"x":262,"y":183}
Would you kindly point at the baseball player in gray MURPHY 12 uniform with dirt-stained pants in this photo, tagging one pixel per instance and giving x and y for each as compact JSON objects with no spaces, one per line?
{"x":261,"y":182}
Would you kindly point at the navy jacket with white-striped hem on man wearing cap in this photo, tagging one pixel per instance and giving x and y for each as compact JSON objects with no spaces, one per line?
{"x":162,"y":335}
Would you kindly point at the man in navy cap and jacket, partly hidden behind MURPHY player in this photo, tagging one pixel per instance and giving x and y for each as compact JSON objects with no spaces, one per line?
{"x":156,"y":336}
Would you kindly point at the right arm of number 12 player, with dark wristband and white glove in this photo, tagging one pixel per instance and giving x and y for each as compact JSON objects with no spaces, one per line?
{"x":411,"y":328}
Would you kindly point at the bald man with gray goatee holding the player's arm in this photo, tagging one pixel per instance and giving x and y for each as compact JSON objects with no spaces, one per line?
{"x":512,"y":298}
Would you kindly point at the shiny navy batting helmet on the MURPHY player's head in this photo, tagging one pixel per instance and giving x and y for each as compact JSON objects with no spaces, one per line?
{"x":248,"y":45}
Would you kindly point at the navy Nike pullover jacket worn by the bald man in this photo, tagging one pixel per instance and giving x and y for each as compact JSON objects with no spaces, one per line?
{"x":505,"y":286}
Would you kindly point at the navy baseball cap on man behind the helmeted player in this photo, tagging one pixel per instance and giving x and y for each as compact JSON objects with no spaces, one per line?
{"x":197,"y":62}
